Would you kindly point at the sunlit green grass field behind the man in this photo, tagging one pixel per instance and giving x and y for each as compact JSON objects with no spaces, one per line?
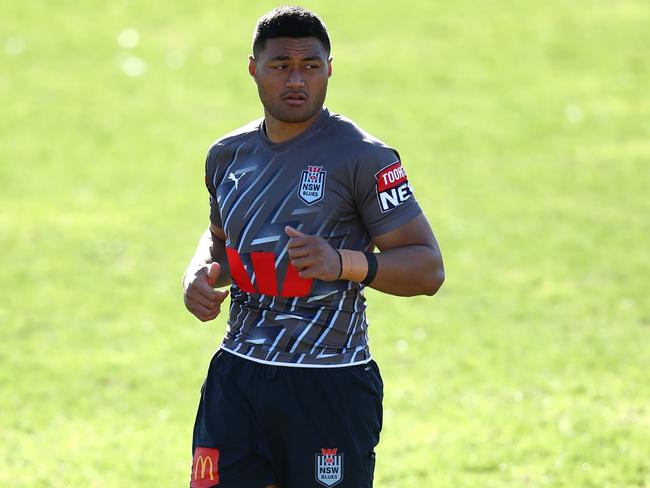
{"x":525,"y":129}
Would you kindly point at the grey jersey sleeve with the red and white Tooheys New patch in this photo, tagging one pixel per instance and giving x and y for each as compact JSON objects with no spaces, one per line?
{"x":384,"y":198}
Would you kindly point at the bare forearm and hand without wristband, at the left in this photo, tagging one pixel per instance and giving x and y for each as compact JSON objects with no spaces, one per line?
{"x":208,"y":269}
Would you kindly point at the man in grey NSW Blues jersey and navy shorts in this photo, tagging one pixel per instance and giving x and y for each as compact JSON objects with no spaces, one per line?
{"x":299,"y":199}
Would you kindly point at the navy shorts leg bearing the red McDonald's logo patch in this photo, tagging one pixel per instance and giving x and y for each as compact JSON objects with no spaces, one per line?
{"x":224,"y":446}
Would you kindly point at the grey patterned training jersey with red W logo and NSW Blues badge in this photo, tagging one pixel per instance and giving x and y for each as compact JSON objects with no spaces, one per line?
{"x":333,"y":180}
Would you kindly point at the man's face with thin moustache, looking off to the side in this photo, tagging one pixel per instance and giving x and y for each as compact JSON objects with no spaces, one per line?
{"x":291,"y":76}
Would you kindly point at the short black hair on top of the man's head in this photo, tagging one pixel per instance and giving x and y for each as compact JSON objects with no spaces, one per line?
{"x":289,"y":22}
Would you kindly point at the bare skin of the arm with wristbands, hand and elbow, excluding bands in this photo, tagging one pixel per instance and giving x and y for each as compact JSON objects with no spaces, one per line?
{"x":409,"y":261}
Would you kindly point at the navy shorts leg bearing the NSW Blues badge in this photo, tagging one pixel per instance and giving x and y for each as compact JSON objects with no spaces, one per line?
{"x":321,"y":425}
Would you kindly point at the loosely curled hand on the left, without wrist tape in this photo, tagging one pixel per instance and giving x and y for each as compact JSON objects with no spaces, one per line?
{"x":201,"y":299}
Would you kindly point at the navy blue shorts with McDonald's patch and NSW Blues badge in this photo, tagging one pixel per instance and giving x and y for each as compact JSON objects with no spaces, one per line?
{"x":259,"y":425}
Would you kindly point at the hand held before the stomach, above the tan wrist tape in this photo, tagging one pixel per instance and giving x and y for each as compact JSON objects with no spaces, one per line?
{"x":312,"y":256}
